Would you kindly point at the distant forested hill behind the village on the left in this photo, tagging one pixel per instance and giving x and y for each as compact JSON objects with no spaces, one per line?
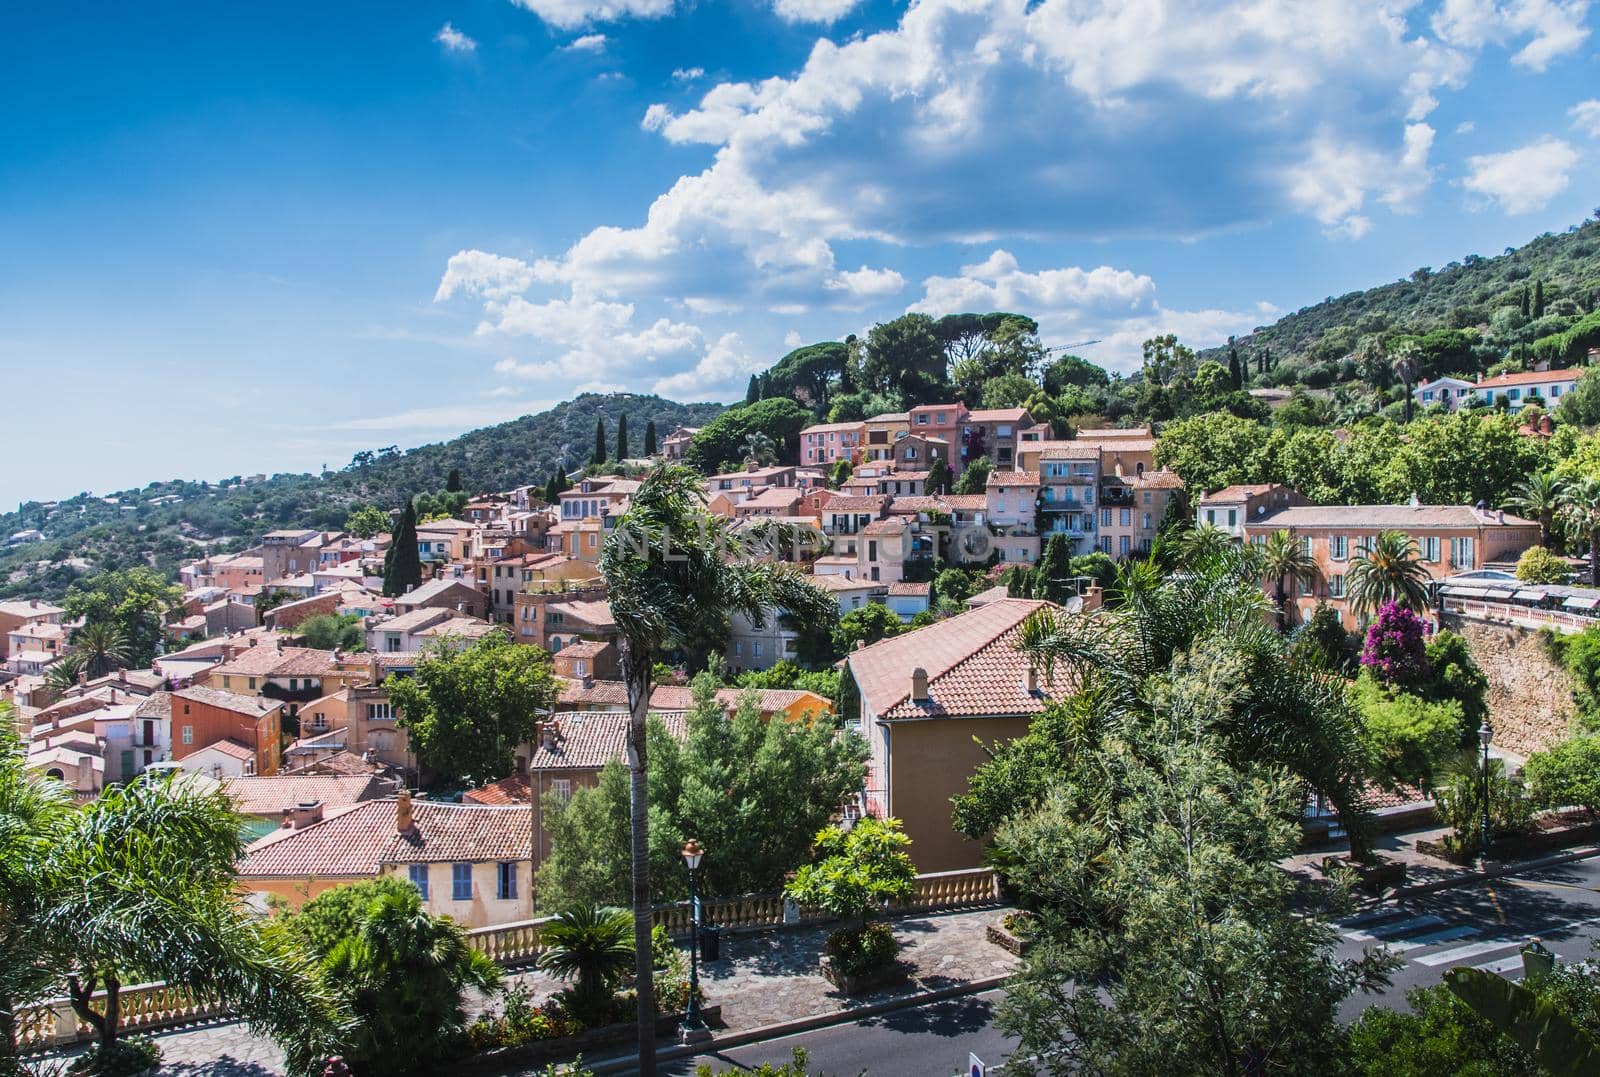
{"x":170,"y":521}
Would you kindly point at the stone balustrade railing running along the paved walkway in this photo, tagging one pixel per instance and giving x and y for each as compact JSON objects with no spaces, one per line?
{"x":151,"y":1007}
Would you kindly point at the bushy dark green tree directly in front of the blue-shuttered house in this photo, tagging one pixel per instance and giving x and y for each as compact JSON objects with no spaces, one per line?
{"x":399,"y":969}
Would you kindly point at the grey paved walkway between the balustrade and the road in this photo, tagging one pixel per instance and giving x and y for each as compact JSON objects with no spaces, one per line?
{"x":764,"y":979}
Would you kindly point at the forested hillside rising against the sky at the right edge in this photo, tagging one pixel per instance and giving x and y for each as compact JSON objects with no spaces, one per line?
{"x":1561,"y":274}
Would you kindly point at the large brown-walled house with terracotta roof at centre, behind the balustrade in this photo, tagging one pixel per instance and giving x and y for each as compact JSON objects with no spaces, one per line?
{"x":930,"y":702}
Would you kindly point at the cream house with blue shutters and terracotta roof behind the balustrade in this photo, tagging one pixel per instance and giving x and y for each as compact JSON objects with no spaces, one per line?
{"x":470,"y":862}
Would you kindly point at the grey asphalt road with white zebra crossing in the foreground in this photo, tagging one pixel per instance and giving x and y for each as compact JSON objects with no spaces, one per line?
{"x":1482,"y":926}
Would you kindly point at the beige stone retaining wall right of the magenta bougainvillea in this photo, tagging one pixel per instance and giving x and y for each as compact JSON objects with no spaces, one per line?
{"x":1530,"y":697}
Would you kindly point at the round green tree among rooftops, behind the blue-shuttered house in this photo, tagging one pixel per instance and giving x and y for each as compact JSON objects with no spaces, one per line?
{"x":468,"y":711}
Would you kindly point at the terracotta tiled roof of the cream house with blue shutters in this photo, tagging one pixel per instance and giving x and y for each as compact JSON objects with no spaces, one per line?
{"x":358,"y":843}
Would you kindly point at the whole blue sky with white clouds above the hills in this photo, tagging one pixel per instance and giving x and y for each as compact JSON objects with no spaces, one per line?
{"x":262,"y":238}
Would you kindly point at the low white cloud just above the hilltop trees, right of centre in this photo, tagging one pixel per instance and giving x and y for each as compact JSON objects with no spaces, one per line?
{"x":1113,"y":306}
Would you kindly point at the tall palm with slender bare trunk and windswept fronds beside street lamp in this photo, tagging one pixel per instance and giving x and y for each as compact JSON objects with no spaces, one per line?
{"x":673,"y":582}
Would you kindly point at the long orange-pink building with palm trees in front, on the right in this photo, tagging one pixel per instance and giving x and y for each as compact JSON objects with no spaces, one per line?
{"x":1449,"y":540}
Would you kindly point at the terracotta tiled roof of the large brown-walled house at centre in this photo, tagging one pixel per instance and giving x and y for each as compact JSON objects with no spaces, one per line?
{"x":974,"y":665}
